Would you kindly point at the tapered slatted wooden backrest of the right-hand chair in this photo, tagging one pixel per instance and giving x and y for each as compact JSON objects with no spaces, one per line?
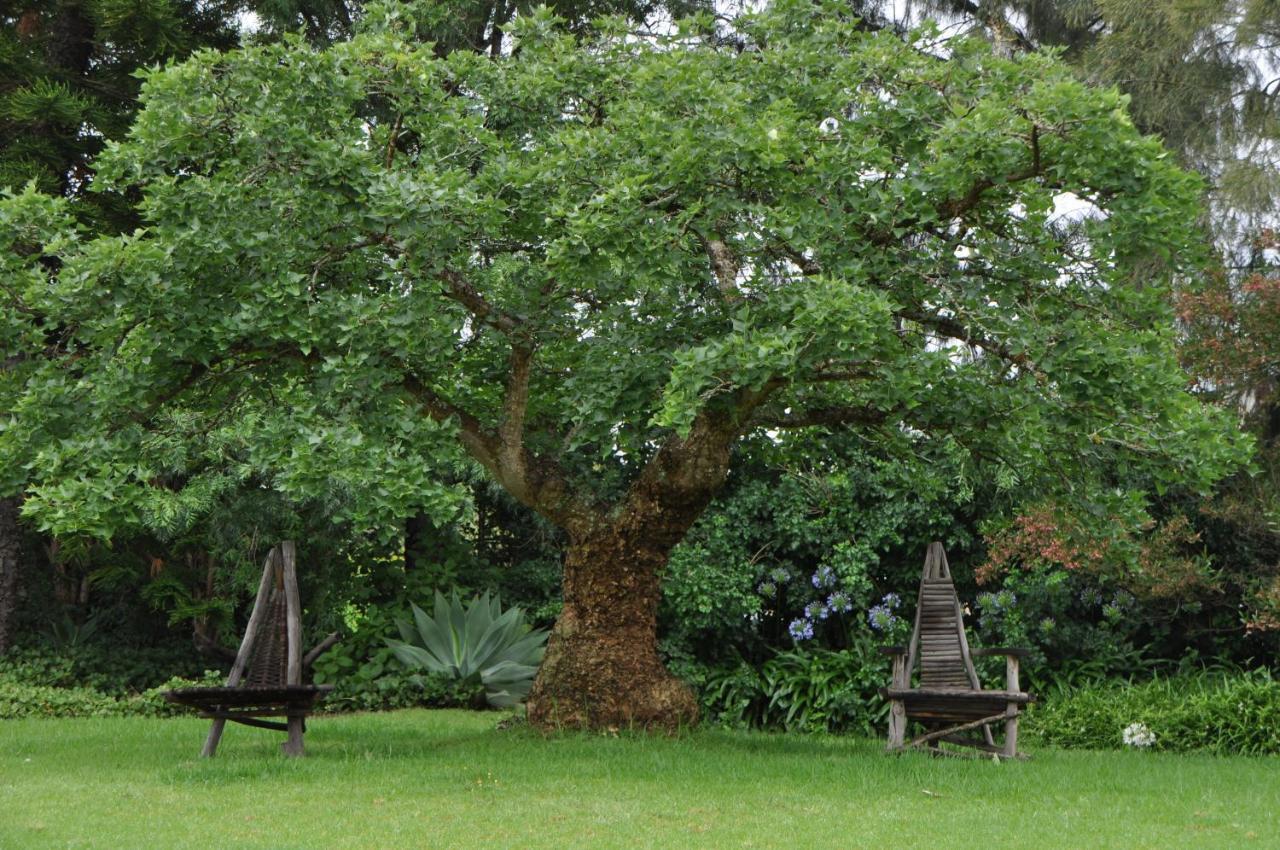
{"x":939,"y":641}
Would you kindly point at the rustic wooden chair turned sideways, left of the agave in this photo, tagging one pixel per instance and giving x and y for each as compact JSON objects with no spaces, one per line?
{"x":267,"y":678}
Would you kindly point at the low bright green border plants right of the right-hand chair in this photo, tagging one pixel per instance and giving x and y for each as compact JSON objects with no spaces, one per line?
{"x":1213,"y":711}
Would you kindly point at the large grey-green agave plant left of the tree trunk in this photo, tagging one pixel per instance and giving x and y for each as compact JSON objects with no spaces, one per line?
{"x":478,"y":643}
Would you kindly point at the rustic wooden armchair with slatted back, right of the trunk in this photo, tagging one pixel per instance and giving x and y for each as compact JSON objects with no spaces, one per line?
{"x":949,"y":700}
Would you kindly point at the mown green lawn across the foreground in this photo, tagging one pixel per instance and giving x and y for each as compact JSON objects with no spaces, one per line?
{"x":450,"y":780}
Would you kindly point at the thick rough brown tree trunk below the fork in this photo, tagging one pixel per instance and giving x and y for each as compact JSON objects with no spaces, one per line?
{"x":602,"y":668}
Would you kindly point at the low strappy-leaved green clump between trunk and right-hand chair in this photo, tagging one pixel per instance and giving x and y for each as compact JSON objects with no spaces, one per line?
{"x":801,"y":691}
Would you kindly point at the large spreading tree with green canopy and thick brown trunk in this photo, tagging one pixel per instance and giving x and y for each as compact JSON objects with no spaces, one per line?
{"x":596,"y":266}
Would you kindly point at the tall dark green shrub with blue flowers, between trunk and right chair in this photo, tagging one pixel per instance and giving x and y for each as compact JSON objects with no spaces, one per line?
{"x":807,"y":545}
